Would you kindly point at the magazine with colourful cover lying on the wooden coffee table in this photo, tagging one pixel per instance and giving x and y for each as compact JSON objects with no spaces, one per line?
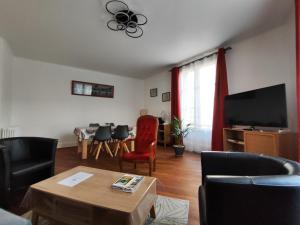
{"x":128,"y":183}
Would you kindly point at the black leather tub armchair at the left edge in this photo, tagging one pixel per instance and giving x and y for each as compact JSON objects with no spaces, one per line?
{"x":24,"y":161}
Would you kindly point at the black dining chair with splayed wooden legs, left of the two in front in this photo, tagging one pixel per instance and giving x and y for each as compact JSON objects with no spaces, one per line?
{"x":102,"y":136}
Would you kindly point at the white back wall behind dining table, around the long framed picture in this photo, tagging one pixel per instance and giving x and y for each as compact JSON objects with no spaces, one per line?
{"x":42,"y":104}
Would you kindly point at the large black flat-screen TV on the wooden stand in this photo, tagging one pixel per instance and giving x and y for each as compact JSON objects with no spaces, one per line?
{"x":264,"y":107}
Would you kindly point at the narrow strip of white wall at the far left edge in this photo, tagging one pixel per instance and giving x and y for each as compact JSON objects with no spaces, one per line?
{"x":6,"y":59}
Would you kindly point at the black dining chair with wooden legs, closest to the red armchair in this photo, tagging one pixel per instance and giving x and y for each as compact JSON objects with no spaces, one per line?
{"x":121,"y":133}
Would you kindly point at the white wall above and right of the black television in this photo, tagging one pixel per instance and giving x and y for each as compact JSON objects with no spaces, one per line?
{"x":264,"y":60}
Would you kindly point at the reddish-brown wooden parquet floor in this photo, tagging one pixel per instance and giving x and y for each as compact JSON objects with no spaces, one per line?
{"x":178,"y":177}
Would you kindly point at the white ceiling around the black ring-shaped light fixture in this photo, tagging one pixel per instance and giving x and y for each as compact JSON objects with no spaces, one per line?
{"x":74,"y":32}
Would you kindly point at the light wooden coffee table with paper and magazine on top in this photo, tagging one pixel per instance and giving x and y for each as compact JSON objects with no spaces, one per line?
{"x":92,"y":201}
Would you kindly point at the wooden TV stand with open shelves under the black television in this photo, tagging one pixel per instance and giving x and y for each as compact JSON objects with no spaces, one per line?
{"x":271,"y":143}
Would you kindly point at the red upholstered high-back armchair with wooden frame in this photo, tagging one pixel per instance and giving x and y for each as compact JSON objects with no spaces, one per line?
{"x":144,"y":144}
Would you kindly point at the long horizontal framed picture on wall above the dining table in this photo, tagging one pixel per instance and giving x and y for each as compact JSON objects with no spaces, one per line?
{"x":92,"y":89}
